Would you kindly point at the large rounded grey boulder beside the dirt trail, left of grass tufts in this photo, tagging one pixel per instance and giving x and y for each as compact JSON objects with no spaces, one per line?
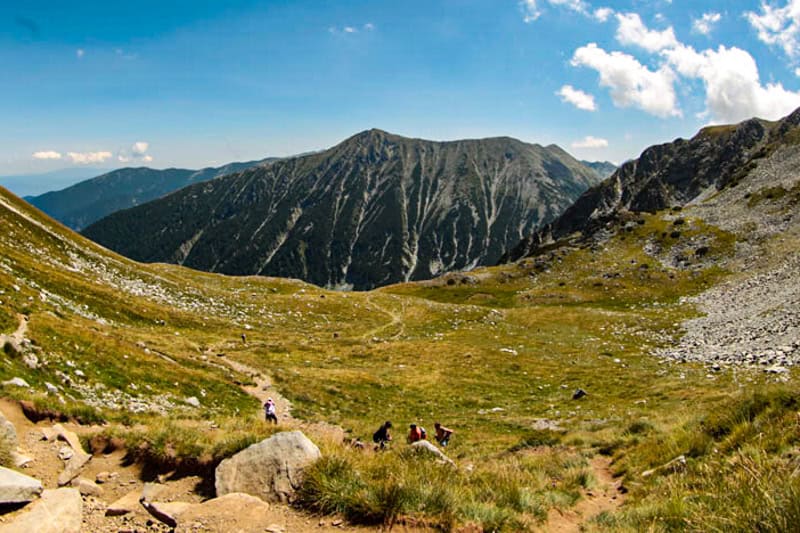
{"x":271,"y":469}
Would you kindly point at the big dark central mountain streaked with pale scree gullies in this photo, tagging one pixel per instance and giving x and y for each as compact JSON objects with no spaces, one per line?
{"x":374,"y":210}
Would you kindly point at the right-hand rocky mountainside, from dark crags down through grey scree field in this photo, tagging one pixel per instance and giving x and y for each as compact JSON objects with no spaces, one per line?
{"x":743,"y":179}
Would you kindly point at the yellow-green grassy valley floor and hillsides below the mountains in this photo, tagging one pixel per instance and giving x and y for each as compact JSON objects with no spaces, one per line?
{"x":496,"y":354}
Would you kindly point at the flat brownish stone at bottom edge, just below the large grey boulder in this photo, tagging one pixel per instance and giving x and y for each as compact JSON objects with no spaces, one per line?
{"x":232,"y":512}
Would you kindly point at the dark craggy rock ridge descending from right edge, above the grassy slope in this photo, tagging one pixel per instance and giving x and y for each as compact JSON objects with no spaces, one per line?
{"x":668,"y":175}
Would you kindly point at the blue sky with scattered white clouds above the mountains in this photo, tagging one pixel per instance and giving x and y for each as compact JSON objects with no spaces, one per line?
{"x":197,"y":83}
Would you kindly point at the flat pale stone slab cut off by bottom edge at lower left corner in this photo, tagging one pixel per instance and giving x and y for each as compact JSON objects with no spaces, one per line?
{"x":57,"y":511}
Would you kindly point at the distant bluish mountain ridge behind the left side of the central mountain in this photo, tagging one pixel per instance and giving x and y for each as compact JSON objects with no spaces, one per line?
{"x":85,"y":202}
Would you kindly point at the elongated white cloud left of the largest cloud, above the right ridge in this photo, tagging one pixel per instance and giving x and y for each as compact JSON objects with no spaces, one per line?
{"x":631,"y":83}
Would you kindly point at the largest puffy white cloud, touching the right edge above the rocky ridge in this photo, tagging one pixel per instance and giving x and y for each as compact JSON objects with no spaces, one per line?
{"x":733,"y":87}
